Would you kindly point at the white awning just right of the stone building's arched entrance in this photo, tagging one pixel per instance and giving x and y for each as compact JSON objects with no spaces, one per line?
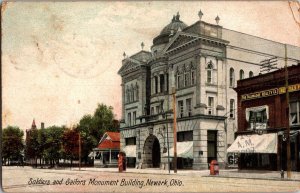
{"x":184,"y":150}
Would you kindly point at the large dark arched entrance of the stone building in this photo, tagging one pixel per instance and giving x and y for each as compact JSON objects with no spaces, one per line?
{"x":152,"y":152}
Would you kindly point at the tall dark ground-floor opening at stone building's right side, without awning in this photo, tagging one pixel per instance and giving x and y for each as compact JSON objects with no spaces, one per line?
{"x":211,"y":145}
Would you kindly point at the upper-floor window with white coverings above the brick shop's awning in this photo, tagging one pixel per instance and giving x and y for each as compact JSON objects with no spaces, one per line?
{"x":257,"y":117}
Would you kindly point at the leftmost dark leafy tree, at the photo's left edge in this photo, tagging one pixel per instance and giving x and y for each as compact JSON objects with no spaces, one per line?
{"x":12,"y":143}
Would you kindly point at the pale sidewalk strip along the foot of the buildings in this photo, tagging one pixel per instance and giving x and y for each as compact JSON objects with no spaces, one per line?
{"x":226,"y":173}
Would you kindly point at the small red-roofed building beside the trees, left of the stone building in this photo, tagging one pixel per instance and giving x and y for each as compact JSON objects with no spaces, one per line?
{"x":106,"y":153}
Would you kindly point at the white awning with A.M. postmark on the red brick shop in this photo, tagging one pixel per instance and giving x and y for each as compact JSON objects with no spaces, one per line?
{"x":266,"y":143}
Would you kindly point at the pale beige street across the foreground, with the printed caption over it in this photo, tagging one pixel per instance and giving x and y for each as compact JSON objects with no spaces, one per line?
{"x":19,"y":179}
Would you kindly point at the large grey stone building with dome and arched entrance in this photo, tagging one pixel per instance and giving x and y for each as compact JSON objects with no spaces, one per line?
{"x":202,"y":62}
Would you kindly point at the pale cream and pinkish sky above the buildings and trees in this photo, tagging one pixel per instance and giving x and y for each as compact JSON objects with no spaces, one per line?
{"x":60,"y":59}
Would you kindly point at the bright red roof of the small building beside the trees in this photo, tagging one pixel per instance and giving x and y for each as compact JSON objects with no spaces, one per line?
{"x":110,"y":140}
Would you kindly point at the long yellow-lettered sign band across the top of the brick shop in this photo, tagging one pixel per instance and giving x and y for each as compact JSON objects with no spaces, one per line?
{"x":270,"y":92}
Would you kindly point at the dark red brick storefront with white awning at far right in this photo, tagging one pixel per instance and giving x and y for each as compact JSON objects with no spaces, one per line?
{"x":263,"y":116}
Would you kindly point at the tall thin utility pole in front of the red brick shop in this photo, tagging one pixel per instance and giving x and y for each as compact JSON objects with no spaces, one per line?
{"x":288,"y":141}
